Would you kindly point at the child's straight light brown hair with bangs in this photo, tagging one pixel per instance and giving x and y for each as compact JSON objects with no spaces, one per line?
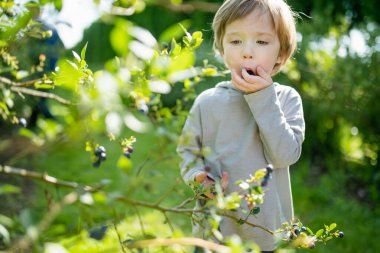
{"x":282,"y":16}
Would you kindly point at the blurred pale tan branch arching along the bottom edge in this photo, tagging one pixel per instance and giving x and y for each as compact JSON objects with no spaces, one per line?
{"x":183,"y":241}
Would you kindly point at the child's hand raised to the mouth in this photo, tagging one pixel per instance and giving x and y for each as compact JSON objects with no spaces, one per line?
{"x":248,"y":83}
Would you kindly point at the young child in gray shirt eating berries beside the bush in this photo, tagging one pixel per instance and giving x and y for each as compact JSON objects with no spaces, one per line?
{"x":250,"y":121}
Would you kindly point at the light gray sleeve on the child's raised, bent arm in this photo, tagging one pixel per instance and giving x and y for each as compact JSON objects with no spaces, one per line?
{"x":281,"y":124}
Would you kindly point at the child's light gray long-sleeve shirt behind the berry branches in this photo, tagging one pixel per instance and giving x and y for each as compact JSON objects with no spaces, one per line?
{"x":245,"y":132}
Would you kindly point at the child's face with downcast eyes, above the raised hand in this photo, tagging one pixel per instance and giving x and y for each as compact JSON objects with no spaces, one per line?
{"x":250,"y":42}
